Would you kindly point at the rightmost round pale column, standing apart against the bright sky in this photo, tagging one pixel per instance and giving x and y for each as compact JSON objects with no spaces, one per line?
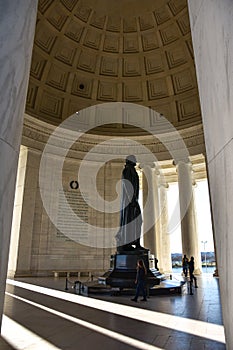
{"x":190,"y":241}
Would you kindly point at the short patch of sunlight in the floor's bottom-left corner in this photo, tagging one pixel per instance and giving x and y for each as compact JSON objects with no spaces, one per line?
{"x":21,"y":338}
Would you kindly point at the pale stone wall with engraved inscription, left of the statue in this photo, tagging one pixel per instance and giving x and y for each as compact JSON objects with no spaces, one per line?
{"x":45,"y":235}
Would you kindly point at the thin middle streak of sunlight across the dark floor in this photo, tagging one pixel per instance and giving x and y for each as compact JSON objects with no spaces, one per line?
{"x":114,"y":335}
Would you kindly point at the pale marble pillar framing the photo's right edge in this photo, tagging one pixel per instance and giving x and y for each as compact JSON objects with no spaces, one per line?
{"x":212,"y":28}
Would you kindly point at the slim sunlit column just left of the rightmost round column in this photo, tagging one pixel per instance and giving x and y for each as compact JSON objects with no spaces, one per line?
{"x":165,"y":256}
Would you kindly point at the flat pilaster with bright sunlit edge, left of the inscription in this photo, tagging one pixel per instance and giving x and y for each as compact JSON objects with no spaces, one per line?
{"x":20,"y":256}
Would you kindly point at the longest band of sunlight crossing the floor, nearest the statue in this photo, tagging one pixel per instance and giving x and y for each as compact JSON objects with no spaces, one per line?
{"x":194,"y":327}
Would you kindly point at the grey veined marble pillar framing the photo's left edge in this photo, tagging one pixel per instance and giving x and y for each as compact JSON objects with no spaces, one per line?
{"x":17,"y":27}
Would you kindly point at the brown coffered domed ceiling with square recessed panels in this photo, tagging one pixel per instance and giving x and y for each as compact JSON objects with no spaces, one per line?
{"x":88,"y":52}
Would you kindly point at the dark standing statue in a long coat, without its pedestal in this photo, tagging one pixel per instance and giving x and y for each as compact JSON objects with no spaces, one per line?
{"x":130,"y":215}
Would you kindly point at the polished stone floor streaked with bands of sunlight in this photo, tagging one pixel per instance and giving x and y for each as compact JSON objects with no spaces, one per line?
{"x":39,"y":314}
